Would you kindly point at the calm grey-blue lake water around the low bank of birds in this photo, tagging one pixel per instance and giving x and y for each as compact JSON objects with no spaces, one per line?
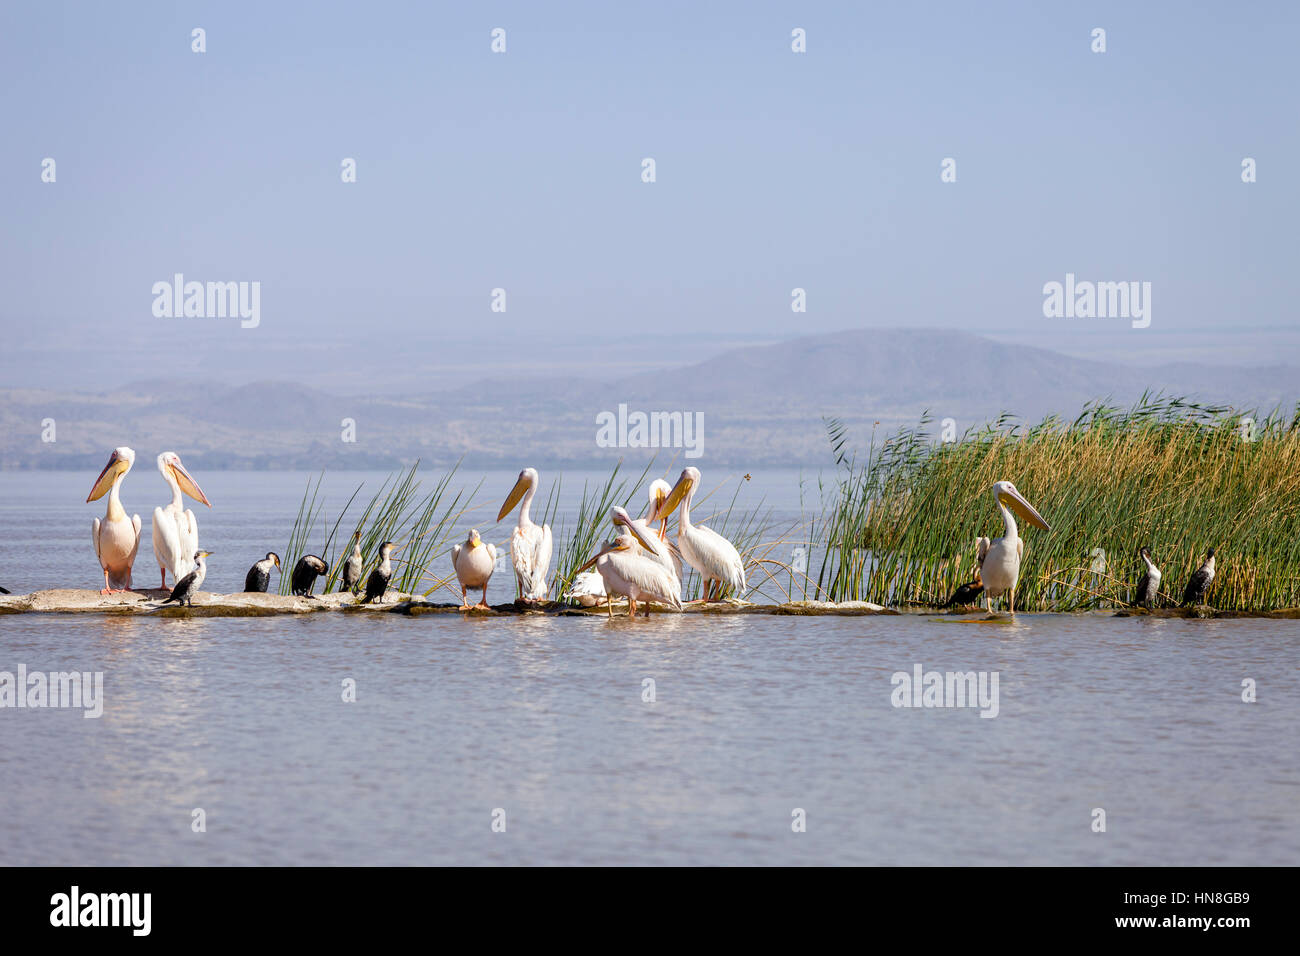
{"x":545,"y":719}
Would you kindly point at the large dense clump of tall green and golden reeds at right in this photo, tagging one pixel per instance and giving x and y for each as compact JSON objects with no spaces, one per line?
{"x":1168,"y":474}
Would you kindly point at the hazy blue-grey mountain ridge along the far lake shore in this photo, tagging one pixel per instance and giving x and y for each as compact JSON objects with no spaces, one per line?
{"x":762,"y":405}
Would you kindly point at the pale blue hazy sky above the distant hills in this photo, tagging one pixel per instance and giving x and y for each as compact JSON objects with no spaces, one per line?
{"x":523,"y":171}
